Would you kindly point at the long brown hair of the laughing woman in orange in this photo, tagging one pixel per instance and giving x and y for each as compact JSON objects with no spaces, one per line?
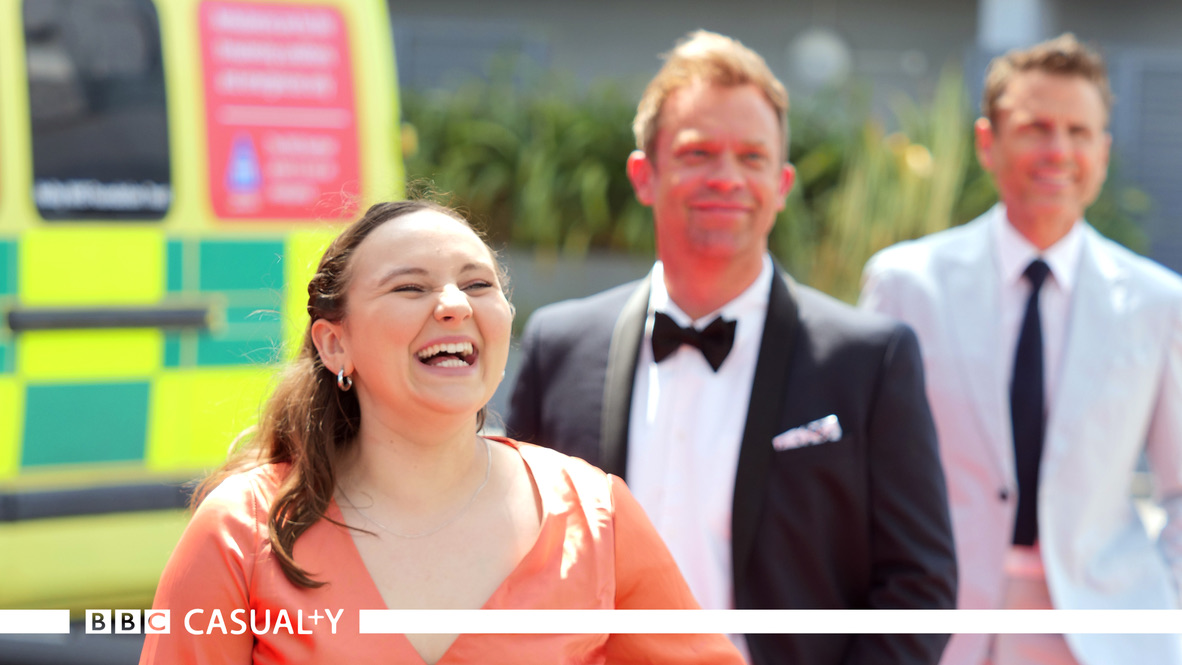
{"x":309,"y":422}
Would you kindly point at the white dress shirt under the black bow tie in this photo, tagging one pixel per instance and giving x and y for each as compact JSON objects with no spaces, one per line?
{"x":685,"y":433}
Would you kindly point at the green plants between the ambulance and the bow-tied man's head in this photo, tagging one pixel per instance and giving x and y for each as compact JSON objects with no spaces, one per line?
{"x":540,"y":164}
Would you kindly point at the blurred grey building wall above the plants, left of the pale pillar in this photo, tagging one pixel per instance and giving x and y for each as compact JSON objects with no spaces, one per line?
{"x":622,"y":41}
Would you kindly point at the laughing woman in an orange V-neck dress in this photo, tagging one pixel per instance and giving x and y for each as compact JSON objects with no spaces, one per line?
{"x":367,"y":486}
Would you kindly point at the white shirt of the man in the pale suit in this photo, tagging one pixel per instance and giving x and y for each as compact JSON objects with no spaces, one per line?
{"x":1015,"y":255}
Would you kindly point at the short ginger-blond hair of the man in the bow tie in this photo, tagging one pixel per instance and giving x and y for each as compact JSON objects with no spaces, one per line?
{"x":716,"y":60}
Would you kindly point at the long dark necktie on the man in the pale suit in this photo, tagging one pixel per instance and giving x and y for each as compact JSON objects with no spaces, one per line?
{"x":1027,"y":409}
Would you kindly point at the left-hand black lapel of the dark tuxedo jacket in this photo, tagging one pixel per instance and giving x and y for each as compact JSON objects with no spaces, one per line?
{"x":621,"y":377}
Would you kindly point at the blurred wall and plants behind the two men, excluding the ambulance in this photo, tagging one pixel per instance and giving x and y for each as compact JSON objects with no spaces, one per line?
{"x":522,"y":110}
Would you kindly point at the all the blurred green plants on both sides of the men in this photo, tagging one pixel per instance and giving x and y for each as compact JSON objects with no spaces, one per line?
{"x":542,"y":165}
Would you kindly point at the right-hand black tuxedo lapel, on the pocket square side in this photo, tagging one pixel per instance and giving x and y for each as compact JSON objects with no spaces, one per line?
{"x":768,"y":397}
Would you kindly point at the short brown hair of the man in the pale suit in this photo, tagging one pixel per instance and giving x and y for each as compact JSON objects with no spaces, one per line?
{"x":1062,"y":56}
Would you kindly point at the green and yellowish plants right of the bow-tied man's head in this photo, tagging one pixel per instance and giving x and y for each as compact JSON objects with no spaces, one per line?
{"x":884,"y":188}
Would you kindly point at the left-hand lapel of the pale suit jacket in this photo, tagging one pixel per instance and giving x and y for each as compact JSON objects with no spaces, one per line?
{"x":975,"y":292}
